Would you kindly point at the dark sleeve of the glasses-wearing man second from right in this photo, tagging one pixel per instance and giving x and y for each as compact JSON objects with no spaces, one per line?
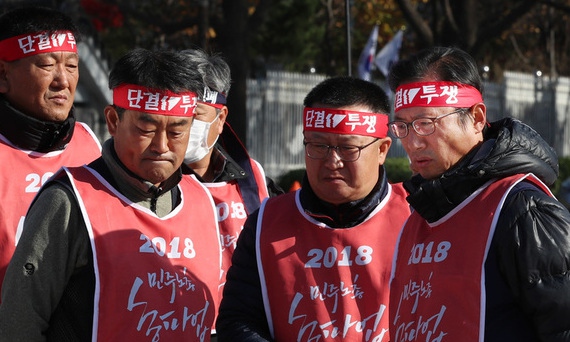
{"x":242,"y":314}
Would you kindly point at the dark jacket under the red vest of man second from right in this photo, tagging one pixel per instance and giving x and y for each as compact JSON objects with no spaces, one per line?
{"x":242,"y":314}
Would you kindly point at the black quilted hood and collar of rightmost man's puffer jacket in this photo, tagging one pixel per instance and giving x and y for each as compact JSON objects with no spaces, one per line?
{"x":510,"y":147}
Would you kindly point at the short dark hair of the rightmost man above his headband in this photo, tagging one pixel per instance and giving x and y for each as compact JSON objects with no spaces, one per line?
{"x":438,"y":63}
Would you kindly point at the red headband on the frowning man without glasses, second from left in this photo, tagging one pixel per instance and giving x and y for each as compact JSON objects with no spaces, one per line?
{"x":154,"y":101}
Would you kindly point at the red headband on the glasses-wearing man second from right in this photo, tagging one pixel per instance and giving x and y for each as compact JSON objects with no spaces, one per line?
{"x":330,"y":120}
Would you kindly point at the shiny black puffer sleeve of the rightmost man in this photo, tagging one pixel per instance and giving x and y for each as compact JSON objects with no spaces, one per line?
{"x":532,"y":242}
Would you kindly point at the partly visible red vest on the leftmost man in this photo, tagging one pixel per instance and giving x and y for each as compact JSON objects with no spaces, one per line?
{"x":22,"y":173}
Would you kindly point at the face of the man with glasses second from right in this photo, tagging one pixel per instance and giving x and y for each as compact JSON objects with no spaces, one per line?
{"x":336,"y":181}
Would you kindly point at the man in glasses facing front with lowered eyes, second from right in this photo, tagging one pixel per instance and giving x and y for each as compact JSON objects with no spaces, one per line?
{"x":314,"y":264}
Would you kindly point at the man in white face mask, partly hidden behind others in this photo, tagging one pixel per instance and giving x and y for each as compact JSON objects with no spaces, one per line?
{"x":218,"y":158}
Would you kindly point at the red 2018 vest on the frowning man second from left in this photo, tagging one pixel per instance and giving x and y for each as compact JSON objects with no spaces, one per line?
{"x":156,"y":278}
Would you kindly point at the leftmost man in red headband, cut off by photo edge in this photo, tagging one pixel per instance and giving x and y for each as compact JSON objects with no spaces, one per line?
{"x":38,"y":77}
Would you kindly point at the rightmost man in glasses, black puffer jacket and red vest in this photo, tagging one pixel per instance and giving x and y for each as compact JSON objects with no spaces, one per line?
{"x":485,"y":255}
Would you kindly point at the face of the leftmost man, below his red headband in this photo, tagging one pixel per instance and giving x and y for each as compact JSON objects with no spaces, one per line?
{"x":42,"y":86}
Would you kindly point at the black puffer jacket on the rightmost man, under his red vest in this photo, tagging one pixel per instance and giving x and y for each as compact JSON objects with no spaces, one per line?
{"x":527,"y":270}
